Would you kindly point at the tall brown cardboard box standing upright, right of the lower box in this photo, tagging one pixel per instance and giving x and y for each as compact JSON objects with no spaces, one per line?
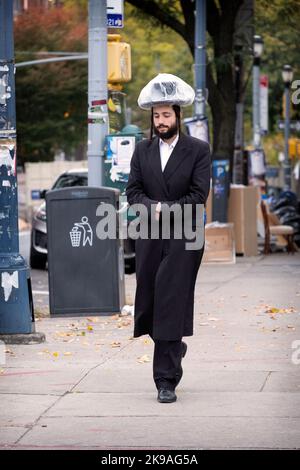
{"x":242,"y":212}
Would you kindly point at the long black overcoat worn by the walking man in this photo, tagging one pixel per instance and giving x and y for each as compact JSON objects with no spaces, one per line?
{"x":165,"y":271}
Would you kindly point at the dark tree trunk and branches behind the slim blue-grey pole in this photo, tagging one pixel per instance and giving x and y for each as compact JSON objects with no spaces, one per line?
{"x":227,"y":28}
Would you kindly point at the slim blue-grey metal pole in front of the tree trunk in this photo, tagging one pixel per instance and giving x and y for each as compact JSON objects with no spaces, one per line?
{"x":200,"y":58}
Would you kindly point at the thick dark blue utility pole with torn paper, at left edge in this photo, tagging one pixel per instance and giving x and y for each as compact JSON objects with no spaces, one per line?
{"x":16,"y":306}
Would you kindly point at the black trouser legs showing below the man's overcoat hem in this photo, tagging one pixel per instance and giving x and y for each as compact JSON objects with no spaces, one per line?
{"x":166,"y":363}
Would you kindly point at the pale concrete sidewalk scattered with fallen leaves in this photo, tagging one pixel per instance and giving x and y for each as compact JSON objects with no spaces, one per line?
{"x":90,"y":385}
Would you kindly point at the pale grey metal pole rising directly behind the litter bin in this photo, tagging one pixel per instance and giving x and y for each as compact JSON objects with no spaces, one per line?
{"x":97,"y":90}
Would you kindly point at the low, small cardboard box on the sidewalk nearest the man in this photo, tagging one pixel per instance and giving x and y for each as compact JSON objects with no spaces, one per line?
{"x":219,"y":243}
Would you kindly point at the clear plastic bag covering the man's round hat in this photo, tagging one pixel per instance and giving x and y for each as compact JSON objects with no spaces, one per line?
{"x":166,"y":89}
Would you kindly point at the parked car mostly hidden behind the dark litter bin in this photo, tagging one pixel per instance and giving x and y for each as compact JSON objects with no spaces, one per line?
{"x":38,"y":245}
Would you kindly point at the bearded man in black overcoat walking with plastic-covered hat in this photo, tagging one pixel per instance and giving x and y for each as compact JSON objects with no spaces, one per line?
{"x":170,"y":168}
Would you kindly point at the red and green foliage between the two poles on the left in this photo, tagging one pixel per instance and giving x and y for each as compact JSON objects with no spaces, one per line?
{"x":51,"y":99}
